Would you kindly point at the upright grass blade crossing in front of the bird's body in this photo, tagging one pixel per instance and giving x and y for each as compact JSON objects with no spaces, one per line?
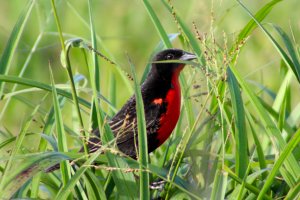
{"x":142,"y":138}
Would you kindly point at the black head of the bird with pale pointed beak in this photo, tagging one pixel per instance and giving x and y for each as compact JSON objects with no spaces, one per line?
{"x":167,"y":69}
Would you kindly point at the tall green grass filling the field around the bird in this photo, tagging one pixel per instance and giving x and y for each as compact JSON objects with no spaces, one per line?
{"x":237,"y":136}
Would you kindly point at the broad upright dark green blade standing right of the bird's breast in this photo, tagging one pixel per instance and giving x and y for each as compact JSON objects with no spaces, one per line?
{"x":242,"y":158}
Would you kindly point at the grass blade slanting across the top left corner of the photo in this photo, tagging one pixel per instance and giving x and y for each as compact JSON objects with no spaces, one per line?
{"x":15,"y":36}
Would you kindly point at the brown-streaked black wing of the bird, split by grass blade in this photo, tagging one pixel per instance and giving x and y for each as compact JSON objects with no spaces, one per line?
{"x":124,"y":127}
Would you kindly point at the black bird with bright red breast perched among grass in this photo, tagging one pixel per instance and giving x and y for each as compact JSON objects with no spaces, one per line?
{"x":162,"y":98}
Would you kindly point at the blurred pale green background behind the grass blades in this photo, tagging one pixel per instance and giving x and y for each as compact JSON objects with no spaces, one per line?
{"x":125,"y":28}
